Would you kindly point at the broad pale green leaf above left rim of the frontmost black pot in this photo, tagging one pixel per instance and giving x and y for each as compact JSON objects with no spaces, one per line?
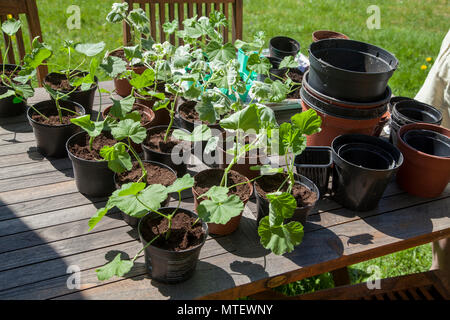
{"x":135,"y":202}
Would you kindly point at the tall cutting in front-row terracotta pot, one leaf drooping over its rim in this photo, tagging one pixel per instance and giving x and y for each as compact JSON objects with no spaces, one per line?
{"x":220,"y":195}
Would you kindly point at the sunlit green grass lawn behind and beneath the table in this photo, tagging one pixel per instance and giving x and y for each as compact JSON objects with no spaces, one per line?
{"x":411,"y":29}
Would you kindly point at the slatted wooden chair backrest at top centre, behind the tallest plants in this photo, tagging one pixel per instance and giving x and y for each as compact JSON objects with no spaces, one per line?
{"x":169,"y":10}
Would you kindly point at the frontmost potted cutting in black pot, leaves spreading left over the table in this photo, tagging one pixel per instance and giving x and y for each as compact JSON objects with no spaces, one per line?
{"x":168,"y":258}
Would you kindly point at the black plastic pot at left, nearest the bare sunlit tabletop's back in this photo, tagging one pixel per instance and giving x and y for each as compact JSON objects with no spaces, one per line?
{"x":51,"y":139}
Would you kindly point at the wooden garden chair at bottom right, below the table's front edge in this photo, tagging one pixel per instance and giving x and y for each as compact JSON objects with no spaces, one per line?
{"x":430,"y":285}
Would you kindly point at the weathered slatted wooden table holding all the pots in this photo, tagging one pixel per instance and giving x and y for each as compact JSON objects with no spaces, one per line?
{"x":44,"y":230}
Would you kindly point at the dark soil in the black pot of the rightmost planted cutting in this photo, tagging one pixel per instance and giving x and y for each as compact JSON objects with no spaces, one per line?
{"x":269,"y":184}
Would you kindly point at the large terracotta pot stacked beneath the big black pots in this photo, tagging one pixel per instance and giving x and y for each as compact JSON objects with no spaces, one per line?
{"x":364,"y":121}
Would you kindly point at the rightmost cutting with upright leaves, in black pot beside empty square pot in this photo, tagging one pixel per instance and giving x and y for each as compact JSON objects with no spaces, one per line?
{"x":290,"y":142}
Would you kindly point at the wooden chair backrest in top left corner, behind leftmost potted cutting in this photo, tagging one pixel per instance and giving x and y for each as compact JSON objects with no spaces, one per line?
{"x":15,"y":8}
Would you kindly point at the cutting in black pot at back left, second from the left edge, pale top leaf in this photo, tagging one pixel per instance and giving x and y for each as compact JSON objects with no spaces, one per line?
{"x":77,"y":86}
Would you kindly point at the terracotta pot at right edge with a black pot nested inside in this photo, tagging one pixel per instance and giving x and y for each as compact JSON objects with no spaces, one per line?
{"x":422,"y":174}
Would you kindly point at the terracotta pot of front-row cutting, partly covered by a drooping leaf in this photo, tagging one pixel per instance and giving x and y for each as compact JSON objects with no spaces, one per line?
{"x":230,"y":226}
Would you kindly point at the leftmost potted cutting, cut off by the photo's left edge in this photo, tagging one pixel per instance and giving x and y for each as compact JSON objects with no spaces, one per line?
{"x":15,"y":86}
